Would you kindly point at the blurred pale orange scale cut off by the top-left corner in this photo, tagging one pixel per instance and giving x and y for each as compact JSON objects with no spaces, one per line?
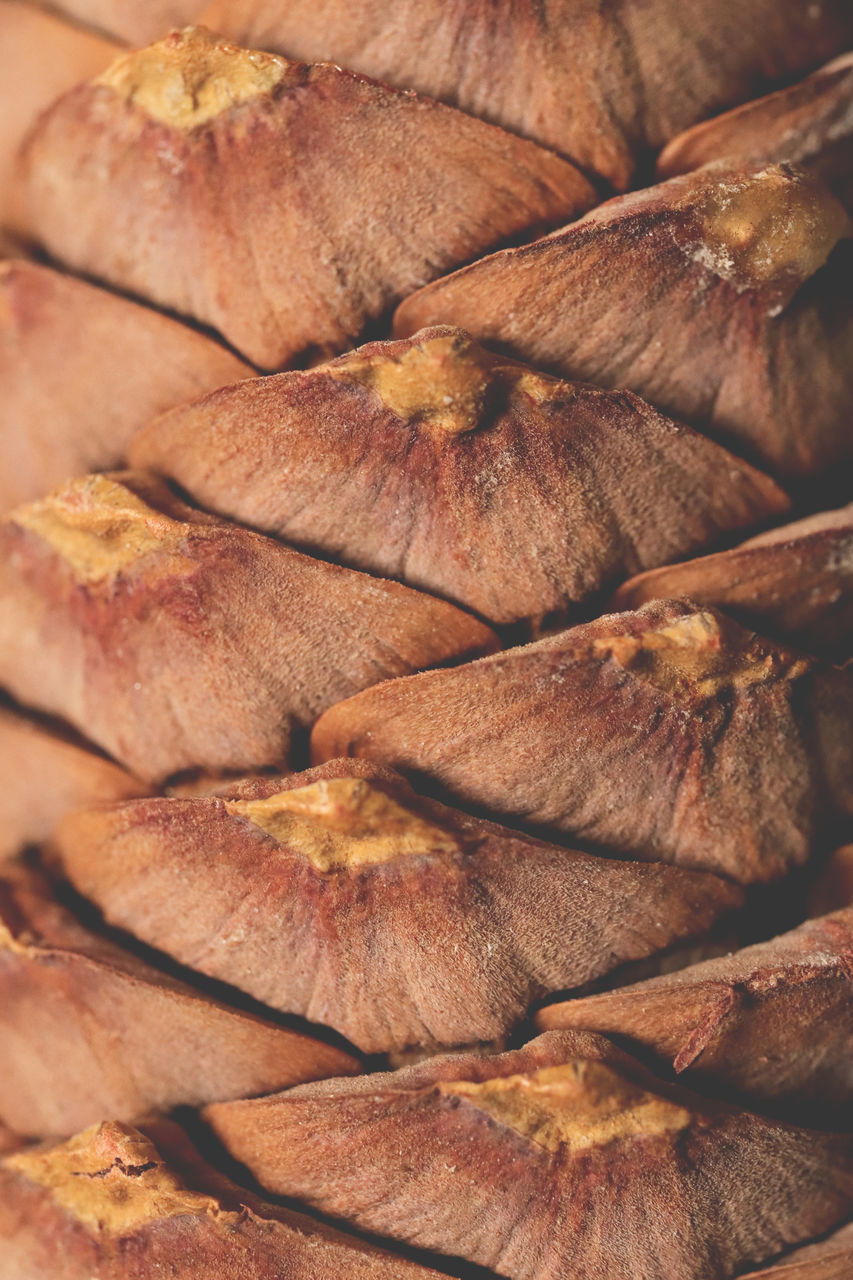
{"x":40,"y":58}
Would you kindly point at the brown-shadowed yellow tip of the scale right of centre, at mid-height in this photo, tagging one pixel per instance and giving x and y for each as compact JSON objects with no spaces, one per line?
{"x":697,"y":651}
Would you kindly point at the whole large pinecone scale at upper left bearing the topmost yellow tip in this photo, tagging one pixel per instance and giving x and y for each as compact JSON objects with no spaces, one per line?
{"x":294,"y":204}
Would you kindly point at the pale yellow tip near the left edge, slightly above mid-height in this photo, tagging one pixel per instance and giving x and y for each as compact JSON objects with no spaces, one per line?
{"x":99,"y":527}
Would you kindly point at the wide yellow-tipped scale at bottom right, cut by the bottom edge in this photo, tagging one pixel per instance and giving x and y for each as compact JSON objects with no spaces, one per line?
{"x":563,"y":1159}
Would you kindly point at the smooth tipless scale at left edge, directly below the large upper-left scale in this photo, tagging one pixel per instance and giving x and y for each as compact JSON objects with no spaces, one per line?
{"x":81,"y":372}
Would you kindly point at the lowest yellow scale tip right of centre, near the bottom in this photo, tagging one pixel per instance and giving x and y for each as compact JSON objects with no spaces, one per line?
{"x":576,"y":1105}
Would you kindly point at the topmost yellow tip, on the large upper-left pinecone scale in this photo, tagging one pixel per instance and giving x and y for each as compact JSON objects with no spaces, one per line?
{"x":193,"y":76}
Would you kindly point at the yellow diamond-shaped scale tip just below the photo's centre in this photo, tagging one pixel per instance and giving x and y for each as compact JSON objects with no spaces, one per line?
{"x":345,"y":822}
